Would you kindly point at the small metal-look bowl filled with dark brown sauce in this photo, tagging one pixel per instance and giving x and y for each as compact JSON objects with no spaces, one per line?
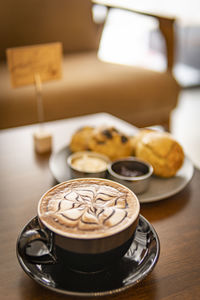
{"x":132,"y":172}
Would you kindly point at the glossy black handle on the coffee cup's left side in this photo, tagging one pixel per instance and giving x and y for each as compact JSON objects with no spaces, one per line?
{"x":45,"y":254}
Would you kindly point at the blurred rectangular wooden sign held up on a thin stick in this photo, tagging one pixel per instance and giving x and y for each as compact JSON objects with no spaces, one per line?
{"x":25,"y":63}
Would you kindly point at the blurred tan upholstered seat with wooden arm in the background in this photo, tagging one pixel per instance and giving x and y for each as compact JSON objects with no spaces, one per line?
{"x":142,"y":97}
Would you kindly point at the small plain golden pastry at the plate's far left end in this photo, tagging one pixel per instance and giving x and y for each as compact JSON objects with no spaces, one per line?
{"x":80,"y":139}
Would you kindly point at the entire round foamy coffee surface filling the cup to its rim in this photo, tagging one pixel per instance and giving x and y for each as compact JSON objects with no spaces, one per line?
{"x":88,"y":207}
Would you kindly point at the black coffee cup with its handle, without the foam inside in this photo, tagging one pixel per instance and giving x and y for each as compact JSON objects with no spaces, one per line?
{"x":83,"y":253}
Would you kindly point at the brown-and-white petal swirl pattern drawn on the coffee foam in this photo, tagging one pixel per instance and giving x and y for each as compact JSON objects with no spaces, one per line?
{"x":86,"y":207}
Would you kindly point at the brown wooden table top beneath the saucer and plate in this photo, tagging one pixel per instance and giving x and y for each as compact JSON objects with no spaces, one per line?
{"x":25,"y":176}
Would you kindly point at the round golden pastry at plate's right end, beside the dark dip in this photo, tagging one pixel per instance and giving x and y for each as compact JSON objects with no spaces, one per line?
{"x":162,"y":151}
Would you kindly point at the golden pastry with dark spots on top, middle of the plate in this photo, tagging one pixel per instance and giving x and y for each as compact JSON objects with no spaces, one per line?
{"x":110,"y":142}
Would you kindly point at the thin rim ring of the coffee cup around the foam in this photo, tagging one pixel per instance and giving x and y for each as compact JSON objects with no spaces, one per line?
{"x":74,"y":236}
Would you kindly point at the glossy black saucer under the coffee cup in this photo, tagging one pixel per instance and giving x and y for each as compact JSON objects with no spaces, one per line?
{"x":131,"y":269}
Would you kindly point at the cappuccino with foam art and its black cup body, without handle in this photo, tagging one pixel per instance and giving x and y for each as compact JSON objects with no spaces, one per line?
{"x":92,"y":221}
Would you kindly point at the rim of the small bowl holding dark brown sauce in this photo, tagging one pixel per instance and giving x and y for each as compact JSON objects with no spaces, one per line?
{"x":131,"y":178}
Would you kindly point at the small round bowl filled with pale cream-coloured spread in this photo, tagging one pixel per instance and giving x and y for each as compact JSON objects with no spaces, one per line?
{"x":86,"y":163}
